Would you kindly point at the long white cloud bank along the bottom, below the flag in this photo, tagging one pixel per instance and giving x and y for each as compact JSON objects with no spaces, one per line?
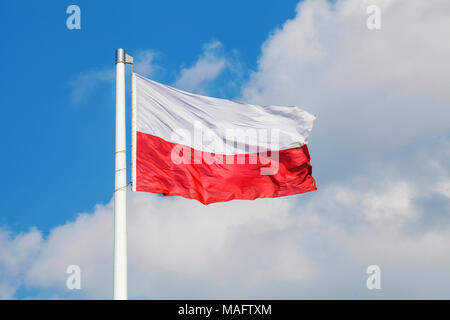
{"x":294,"y":247}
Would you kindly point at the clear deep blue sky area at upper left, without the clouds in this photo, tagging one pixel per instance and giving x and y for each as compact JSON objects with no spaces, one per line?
{"x":59,"y":153}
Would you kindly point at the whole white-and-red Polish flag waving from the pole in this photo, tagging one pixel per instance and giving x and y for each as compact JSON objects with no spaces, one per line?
{"x":214,"y":150}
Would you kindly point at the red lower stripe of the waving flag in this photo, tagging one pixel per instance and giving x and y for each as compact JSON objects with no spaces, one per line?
{"x":216,"y":182}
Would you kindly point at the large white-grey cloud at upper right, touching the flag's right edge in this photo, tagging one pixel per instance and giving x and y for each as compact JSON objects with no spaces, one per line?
{"x":373,"y":91}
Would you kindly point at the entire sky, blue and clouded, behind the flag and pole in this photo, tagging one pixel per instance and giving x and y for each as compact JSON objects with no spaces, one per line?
{"x":380,"y":149}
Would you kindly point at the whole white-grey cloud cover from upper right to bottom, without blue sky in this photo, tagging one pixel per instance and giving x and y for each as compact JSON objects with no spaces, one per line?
{"x":380,"y":153}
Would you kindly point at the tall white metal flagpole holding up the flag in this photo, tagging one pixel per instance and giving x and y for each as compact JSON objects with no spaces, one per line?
{"x":120,"y":191}
